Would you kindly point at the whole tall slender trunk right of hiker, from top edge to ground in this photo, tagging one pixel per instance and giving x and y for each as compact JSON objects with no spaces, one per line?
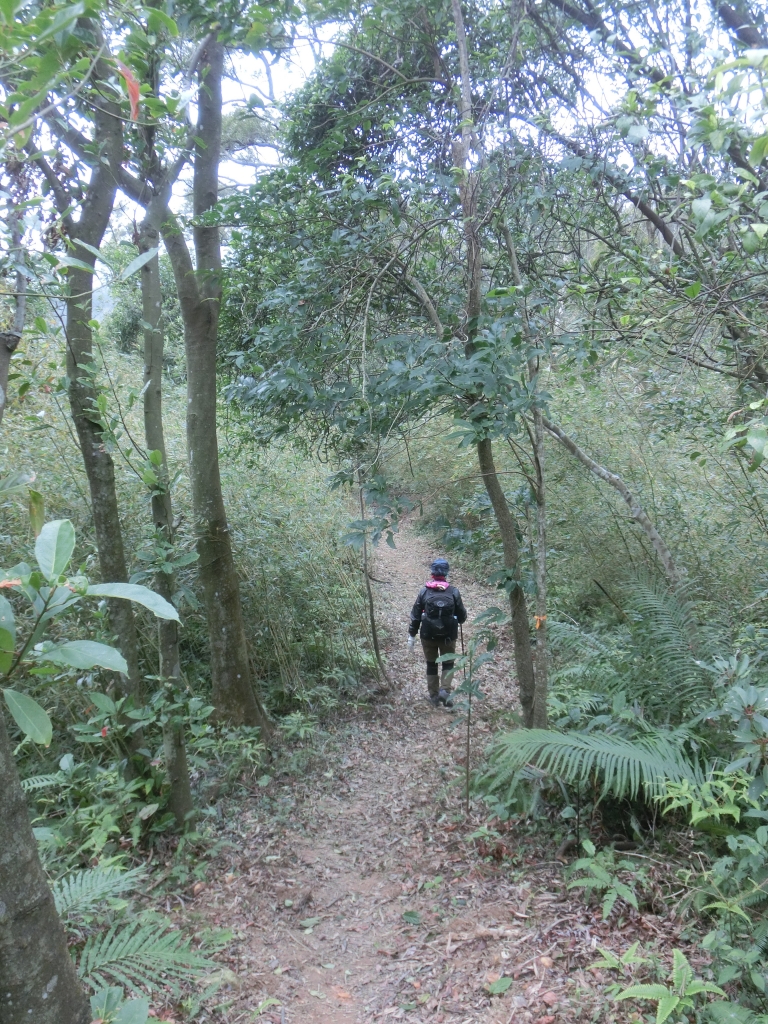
{"x":504,"y":518}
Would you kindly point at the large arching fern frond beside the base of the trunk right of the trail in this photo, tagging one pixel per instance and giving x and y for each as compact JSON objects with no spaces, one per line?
{"x":626,"y":766}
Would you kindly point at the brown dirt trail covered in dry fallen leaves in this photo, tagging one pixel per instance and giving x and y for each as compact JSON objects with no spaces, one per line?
{"x":364,"y":898}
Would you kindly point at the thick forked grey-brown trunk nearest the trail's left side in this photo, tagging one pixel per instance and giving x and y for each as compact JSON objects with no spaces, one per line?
{"x":200,"y":294}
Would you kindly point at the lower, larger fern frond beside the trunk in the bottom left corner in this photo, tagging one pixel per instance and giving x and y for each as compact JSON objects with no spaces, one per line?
{"x":137,"y":956}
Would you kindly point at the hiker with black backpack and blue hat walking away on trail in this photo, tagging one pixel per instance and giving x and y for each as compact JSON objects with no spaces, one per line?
{"x":439,"y":612}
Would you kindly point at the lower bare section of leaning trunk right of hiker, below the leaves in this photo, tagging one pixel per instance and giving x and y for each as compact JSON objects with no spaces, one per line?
{"x":518,"y":605}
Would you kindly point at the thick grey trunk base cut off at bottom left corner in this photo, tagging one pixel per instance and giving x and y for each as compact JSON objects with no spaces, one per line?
{"x":38,"y":980}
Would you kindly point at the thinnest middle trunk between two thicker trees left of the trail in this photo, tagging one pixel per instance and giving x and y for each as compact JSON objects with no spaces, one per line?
{"x":162,"y":513}
